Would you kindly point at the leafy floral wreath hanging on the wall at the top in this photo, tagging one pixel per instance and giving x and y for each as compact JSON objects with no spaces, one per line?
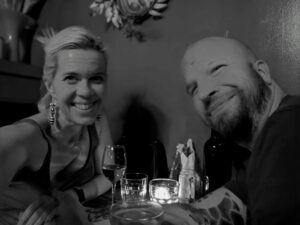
{"x":125,"y":14}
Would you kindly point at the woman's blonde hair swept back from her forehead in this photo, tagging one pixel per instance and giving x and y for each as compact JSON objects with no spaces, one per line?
{"x":73,"y":37}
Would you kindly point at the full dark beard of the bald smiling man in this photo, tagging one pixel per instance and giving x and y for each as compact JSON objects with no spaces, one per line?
{"x":241,"y":126}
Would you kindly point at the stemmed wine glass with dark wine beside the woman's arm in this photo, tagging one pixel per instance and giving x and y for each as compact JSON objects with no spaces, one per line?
{"x":114,"y":164}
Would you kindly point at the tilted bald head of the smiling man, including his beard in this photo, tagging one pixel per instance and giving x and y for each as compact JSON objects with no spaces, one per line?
{"x":227,"y":92}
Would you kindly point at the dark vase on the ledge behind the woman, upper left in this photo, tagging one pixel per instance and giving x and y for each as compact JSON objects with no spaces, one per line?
{"x":17,"y":31}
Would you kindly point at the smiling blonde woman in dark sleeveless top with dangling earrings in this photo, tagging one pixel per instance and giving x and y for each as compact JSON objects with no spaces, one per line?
{"x":56,"y":154}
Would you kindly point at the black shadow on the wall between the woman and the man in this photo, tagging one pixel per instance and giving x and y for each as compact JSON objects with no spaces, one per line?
{"x":145,"y":153}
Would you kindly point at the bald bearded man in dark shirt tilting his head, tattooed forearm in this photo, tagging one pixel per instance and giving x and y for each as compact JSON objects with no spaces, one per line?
{"x":234,"y":94}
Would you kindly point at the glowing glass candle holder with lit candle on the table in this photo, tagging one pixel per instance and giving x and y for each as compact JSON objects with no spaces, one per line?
{"x":163,"y":191}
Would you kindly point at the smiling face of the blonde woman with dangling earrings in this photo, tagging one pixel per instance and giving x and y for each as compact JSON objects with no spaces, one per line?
{"x":78,"y":86}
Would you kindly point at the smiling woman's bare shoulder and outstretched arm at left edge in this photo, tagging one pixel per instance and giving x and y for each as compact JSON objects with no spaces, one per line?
{"x":18,"y":145}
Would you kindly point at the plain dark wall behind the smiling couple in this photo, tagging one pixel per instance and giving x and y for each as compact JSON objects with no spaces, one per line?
{"x":146,"y":76}
